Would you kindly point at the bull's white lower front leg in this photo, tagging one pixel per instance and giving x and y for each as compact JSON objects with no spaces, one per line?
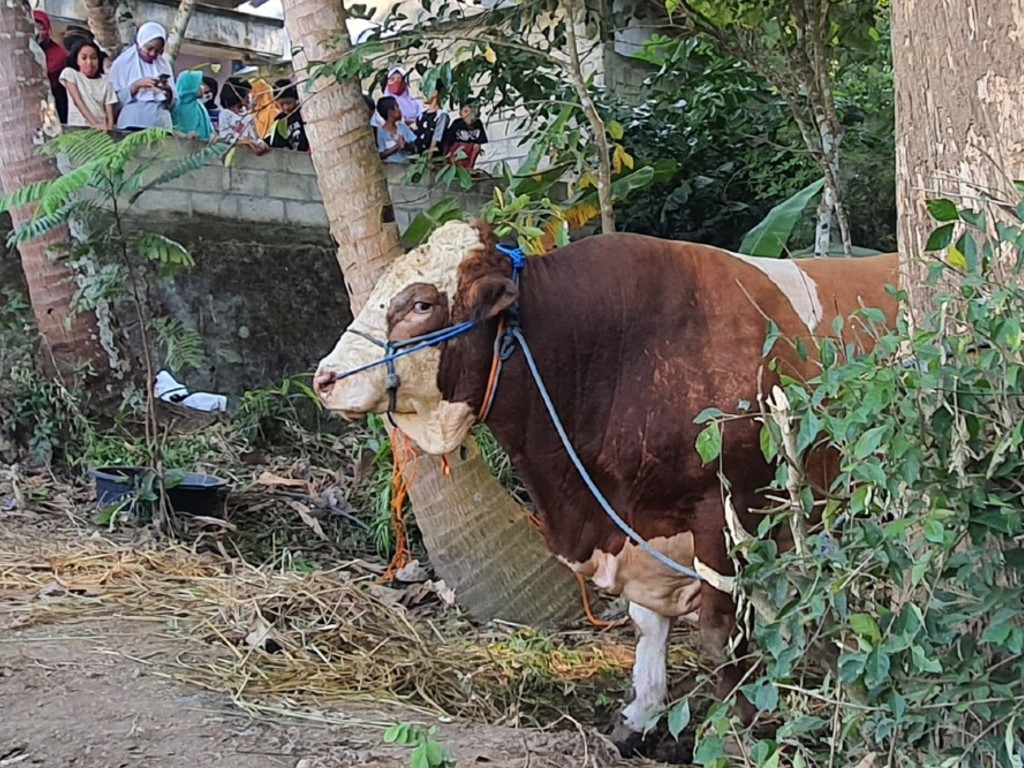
{"x":651,"y":685}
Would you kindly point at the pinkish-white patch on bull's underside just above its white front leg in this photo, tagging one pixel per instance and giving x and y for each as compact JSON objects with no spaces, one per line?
{"x":643,"y":580}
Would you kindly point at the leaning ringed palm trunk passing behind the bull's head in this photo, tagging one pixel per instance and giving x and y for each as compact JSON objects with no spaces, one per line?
{"x":479,"y":538}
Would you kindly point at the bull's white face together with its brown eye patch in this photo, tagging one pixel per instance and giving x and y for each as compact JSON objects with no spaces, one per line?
{"x":415,"y":296}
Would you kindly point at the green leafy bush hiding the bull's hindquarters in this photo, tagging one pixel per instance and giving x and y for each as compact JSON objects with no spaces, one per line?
{"x":897,"y":628}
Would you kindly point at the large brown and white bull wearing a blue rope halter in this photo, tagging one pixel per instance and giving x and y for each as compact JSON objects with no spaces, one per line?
{"x":634,"y":337}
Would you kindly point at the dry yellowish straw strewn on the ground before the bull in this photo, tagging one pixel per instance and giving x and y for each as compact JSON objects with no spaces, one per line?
{"x":312,"y":639}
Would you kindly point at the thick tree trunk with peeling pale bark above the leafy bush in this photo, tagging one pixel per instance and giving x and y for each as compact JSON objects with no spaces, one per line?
{"x":958,"y":71}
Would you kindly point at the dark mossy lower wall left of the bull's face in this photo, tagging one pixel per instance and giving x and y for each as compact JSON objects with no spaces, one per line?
{"x":269,"y":302}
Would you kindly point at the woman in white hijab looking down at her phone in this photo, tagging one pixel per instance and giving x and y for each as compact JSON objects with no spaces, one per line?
{"x":144,"y":81}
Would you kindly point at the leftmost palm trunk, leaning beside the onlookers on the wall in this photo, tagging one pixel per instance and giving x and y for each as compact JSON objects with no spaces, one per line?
{"x":69,"y":342}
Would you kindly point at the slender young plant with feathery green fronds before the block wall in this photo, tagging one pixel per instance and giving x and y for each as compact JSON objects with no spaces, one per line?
{"x":104,"y":178}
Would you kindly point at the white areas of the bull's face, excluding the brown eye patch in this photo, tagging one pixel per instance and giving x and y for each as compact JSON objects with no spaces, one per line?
{"x":436,"y":425}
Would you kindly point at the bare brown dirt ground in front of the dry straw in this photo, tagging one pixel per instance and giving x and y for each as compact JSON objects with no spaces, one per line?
{"x":100,"y":692}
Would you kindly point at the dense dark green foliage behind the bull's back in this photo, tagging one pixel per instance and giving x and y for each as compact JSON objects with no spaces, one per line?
{"x":738,"y":152}
